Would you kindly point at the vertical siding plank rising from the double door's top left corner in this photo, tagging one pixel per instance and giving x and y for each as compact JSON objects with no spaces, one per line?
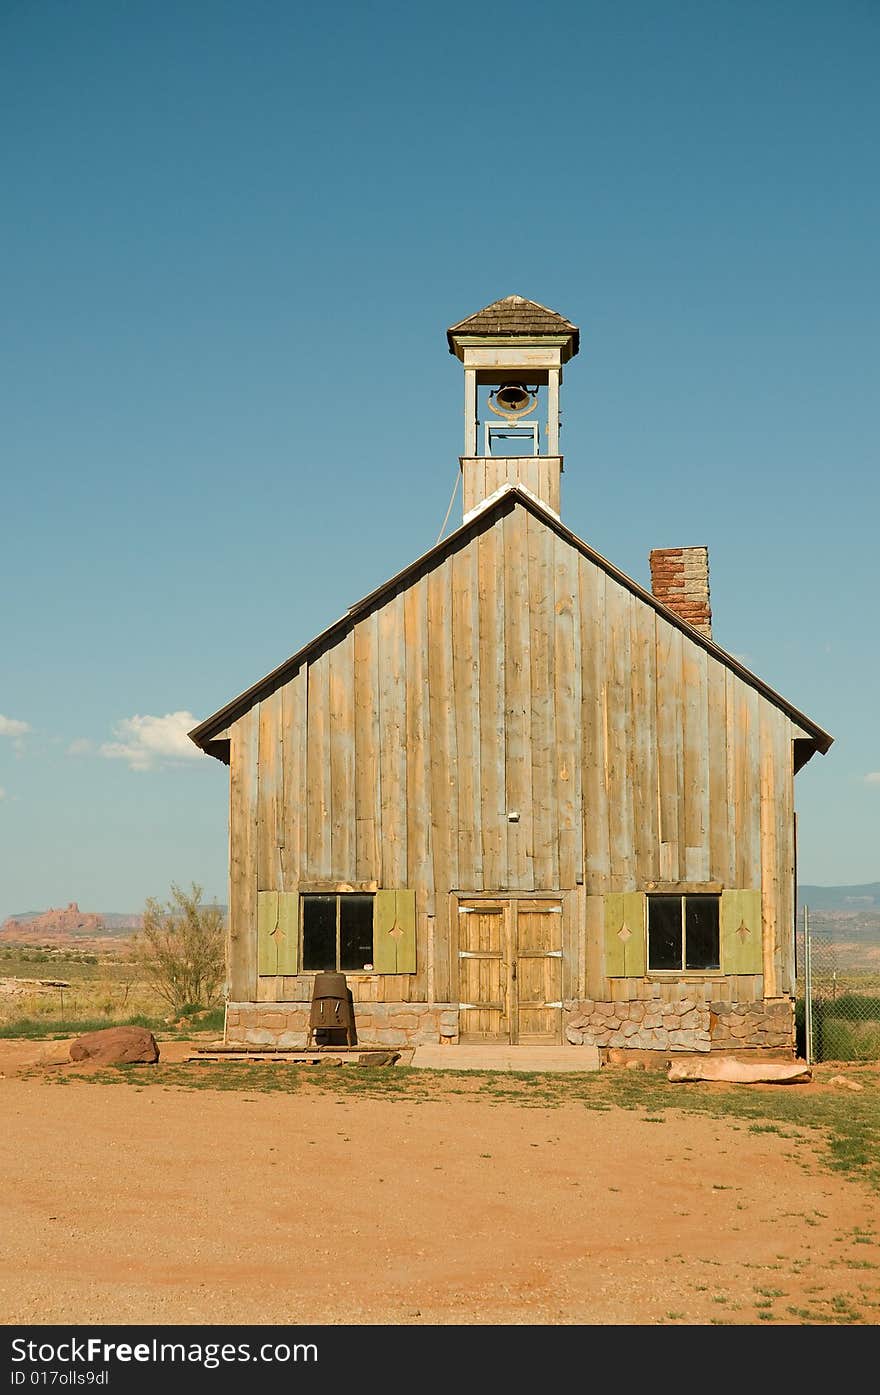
{"x":466,"y":683}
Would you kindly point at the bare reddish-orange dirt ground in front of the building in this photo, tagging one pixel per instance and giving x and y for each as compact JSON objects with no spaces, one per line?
{"x":160,"y":1205}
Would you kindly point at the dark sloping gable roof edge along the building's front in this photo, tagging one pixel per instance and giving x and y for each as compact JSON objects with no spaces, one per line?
{"x":208,"y":734}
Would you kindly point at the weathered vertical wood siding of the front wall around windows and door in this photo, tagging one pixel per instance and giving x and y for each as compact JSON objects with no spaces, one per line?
{"x":515,"y":677}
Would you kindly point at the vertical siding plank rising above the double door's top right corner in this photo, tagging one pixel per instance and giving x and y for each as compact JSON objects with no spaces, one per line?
{"x":568,"y":681}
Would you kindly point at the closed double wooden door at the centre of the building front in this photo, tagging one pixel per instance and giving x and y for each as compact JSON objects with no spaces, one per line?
{"x":511,"y":972}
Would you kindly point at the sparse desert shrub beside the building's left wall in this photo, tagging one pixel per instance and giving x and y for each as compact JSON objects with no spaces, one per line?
{"x":182,"y":949}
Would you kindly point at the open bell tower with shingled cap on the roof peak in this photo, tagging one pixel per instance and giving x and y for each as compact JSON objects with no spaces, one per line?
{"x":514,"y":352}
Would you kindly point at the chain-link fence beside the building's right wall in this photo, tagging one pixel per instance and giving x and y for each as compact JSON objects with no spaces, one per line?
{"x":839,"y":994}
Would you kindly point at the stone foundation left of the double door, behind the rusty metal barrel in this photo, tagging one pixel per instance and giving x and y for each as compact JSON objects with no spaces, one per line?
{"x":377,"y":1025}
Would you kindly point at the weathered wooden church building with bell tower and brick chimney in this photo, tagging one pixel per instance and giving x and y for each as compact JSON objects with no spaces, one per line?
{"x":514,"y":796}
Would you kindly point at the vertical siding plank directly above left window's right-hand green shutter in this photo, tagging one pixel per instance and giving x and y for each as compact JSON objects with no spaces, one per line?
{"x":393,"y":748}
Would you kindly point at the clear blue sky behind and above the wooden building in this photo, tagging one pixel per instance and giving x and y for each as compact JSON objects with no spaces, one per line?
{"x":235,"y":236}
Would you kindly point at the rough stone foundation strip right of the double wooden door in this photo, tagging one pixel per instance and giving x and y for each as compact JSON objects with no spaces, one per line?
{"x":684,"y":1026}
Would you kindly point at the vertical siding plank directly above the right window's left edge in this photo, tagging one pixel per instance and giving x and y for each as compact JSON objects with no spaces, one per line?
{"x":644,"y":743}
